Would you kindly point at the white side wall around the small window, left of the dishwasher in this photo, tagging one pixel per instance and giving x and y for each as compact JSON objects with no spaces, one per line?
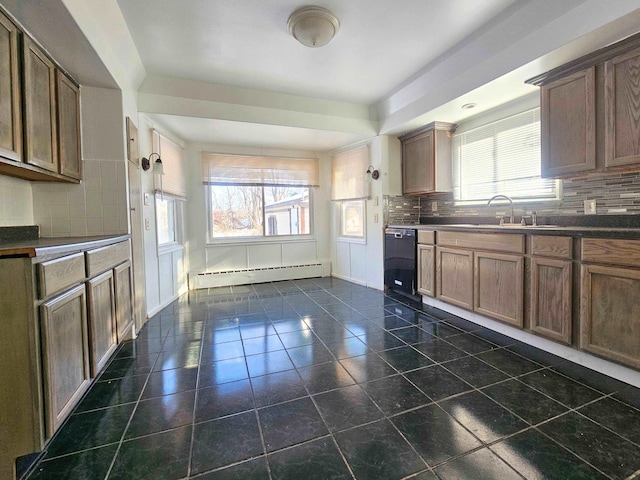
{"x":362,"y":262}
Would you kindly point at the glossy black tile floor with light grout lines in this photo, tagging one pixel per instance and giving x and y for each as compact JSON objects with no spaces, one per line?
{"x":323,"y":379}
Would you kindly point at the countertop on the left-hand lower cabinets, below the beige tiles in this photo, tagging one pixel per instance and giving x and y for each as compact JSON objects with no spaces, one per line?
{"x":55,"y":246}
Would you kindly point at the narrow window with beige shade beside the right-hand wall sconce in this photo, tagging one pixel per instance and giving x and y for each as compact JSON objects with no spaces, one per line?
{"x":350,"y":189}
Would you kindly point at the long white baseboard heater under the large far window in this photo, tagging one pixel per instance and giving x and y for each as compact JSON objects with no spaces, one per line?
{"x":260,"y":275}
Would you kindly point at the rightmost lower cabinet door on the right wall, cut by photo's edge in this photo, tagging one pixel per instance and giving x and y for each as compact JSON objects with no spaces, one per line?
{"x":609,"y":317}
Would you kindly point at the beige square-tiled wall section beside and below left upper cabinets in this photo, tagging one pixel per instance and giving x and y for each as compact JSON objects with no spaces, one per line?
{"x":97,"y":206}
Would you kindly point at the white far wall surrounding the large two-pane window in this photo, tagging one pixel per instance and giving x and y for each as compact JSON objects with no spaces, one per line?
{"x":252,"y":254}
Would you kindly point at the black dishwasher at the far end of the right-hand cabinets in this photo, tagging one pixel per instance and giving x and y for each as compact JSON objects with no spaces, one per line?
{"x":400,"y":259}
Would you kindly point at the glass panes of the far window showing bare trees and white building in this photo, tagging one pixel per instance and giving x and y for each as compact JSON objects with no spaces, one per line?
{"x":248,"y":211}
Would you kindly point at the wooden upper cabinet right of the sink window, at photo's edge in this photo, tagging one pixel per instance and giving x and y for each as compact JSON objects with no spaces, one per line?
{"x":591,"y":112}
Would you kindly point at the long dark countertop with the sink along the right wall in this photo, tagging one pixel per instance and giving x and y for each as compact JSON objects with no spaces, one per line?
{"x":569,"y":231}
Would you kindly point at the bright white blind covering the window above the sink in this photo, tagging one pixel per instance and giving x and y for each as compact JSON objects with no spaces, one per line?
{"x":502,"y":157}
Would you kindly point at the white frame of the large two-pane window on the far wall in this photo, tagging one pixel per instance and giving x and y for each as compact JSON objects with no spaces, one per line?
{"x":263,"y":238}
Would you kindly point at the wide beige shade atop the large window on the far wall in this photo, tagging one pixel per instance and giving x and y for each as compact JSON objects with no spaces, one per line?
{"x":259,"y":171}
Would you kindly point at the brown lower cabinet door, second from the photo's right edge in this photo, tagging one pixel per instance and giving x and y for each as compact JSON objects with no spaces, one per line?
{"x":551,"y":298}
